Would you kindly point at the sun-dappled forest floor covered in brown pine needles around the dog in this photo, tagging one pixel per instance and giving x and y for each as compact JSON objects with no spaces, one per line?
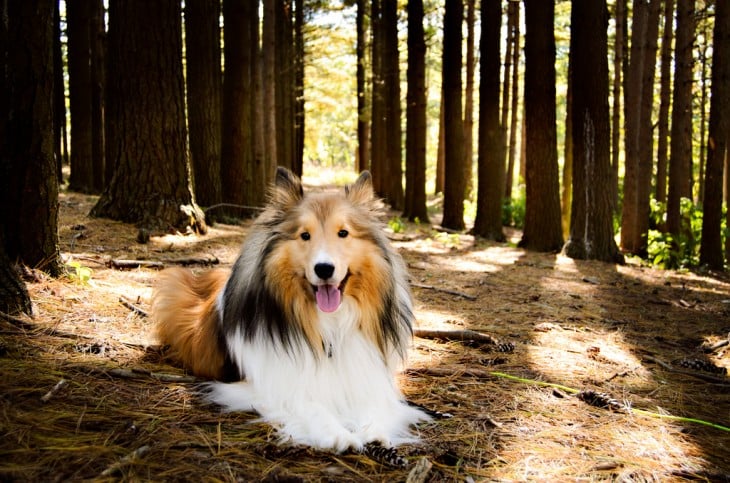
{"x":601,"y":372}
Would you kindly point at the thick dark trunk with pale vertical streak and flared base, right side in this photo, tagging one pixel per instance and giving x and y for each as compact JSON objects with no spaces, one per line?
{"x":591,"y":223}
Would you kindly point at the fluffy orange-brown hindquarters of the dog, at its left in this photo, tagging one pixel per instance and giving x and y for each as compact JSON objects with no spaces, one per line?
{"x":186,"y":312}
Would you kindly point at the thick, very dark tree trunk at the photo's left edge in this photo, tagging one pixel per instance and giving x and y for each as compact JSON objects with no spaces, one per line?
{"x":28,"y":171}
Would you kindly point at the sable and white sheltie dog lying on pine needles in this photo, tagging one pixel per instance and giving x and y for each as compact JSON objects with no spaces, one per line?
{"x":312,"y":323}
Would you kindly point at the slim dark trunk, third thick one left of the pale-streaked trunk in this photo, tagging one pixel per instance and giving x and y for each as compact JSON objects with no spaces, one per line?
{"x":454,"y":182}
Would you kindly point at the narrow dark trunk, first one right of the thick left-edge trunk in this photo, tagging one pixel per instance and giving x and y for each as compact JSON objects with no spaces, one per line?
{"x":78,"y":19}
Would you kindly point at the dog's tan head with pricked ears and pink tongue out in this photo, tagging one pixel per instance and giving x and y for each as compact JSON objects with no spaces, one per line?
{"x":330,"y":240}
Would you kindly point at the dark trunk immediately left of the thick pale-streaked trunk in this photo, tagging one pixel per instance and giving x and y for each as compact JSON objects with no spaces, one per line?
{"x":542,"y":212}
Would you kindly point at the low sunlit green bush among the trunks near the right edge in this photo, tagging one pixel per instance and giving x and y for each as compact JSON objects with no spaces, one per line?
{"x":681,"y":251}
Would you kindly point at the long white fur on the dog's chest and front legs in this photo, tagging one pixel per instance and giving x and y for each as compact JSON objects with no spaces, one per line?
{"x":343,"y":399}
